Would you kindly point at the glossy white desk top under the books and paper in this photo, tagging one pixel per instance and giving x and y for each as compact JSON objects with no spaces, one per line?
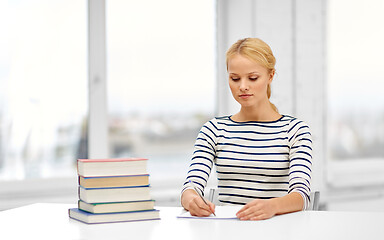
{"x":51,"y":221}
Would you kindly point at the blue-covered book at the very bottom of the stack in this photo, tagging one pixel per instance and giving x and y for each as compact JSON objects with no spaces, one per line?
{"x":91,"y":218}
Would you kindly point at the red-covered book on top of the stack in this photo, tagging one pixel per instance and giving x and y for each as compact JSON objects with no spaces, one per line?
{"x":111,"y":167}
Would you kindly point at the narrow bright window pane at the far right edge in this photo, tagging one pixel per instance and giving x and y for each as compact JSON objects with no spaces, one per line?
{"x":356,"y":80}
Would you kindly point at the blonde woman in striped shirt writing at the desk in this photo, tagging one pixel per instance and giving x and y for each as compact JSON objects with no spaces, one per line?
{"x":263,"y":159}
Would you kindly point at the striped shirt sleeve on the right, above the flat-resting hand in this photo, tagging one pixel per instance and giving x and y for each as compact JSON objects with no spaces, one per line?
{"x":300,"y":157}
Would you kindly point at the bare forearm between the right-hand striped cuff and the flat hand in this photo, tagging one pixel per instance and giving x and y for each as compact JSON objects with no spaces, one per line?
{"x":292,"y":202}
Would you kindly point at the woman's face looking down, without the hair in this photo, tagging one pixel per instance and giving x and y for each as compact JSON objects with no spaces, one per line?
{"x":248,"y":81}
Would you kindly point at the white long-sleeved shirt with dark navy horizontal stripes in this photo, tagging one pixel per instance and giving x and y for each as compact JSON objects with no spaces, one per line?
{"x":254,"y":160}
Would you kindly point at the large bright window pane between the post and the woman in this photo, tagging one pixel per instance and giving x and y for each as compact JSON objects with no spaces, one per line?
{"x":160,"y":81}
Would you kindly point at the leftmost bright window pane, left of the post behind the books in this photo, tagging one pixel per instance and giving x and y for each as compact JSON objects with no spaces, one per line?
{"x":43,"y":87}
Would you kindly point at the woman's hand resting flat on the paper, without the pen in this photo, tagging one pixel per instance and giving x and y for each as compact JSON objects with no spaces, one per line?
{"x":258,"y":209}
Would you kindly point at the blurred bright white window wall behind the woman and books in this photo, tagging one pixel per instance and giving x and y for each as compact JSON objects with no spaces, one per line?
{"x":163,"y":76}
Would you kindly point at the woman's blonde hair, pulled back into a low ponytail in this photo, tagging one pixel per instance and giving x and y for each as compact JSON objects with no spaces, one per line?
{"x":258,"y":51}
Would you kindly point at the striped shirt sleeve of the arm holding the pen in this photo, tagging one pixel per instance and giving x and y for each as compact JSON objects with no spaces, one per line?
{"x":203,"y":157}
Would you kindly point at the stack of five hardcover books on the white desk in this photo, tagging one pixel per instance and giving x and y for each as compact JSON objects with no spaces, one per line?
{"x":113,"y":190}
